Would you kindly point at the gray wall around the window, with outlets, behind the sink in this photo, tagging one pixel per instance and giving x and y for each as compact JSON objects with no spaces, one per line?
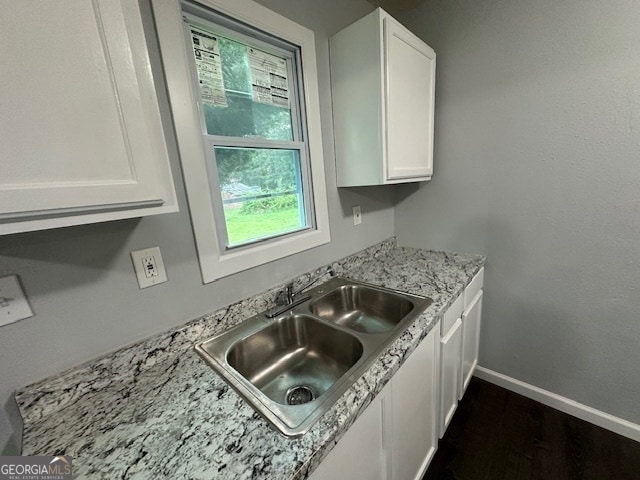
{"x":81,"y":283}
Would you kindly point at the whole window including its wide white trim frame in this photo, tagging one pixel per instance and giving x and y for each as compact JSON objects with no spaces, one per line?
{"x":243,"y":91}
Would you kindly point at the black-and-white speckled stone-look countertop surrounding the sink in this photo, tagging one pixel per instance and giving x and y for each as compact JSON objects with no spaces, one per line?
{"x":156,"y":410}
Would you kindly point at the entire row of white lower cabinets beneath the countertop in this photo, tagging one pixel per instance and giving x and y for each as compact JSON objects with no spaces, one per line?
{"x":397,"y":435}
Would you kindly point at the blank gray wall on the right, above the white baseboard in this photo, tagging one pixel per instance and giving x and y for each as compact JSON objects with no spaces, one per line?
{"x":537,"y":165}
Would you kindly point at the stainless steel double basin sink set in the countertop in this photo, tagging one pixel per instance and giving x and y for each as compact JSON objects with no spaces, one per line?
{"x":294,"y":367}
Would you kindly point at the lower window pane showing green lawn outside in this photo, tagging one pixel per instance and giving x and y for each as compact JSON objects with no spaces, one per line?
{"x":261,"y":192}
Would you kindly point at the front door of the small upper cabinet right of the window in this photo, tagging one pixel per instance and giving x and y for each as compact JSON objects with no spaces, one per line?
{"x":410,"y":77}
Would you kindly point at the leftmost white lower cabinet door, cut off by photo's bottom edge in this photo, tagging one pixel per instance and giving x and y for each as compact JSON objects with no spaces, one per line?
{"x":359,"y":454}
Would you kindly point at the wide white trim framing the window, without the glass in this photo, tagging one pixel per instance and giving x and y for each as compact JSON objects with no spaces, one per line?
{"x":215,"y":263}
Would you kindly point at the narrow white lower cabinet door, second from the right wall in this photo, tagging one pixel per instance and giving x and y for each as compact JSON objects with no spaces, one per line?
{"x":450,"y":367}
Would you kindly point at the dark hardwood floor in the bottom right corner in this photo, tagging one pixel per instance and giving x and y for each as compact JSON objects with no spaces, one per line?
{"x":499,"y":435}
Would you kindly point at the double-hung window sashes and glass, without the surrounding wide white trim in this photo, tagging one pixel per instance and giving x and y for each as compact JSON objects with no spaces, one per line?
{"x":253,"y":129}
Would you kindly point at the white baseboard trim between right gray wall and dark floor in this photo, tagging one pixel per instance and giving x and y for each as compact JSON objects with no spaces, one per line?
{"x":566,"y":405}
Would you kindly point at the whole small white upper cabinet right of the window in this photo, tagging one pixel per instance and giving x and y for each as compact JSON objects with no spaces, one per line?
{"x":383,"y":88}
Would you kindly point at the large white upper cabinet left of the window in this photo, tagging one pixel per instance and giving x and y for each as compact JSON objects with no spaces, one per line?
{"x":81,"y":133}
